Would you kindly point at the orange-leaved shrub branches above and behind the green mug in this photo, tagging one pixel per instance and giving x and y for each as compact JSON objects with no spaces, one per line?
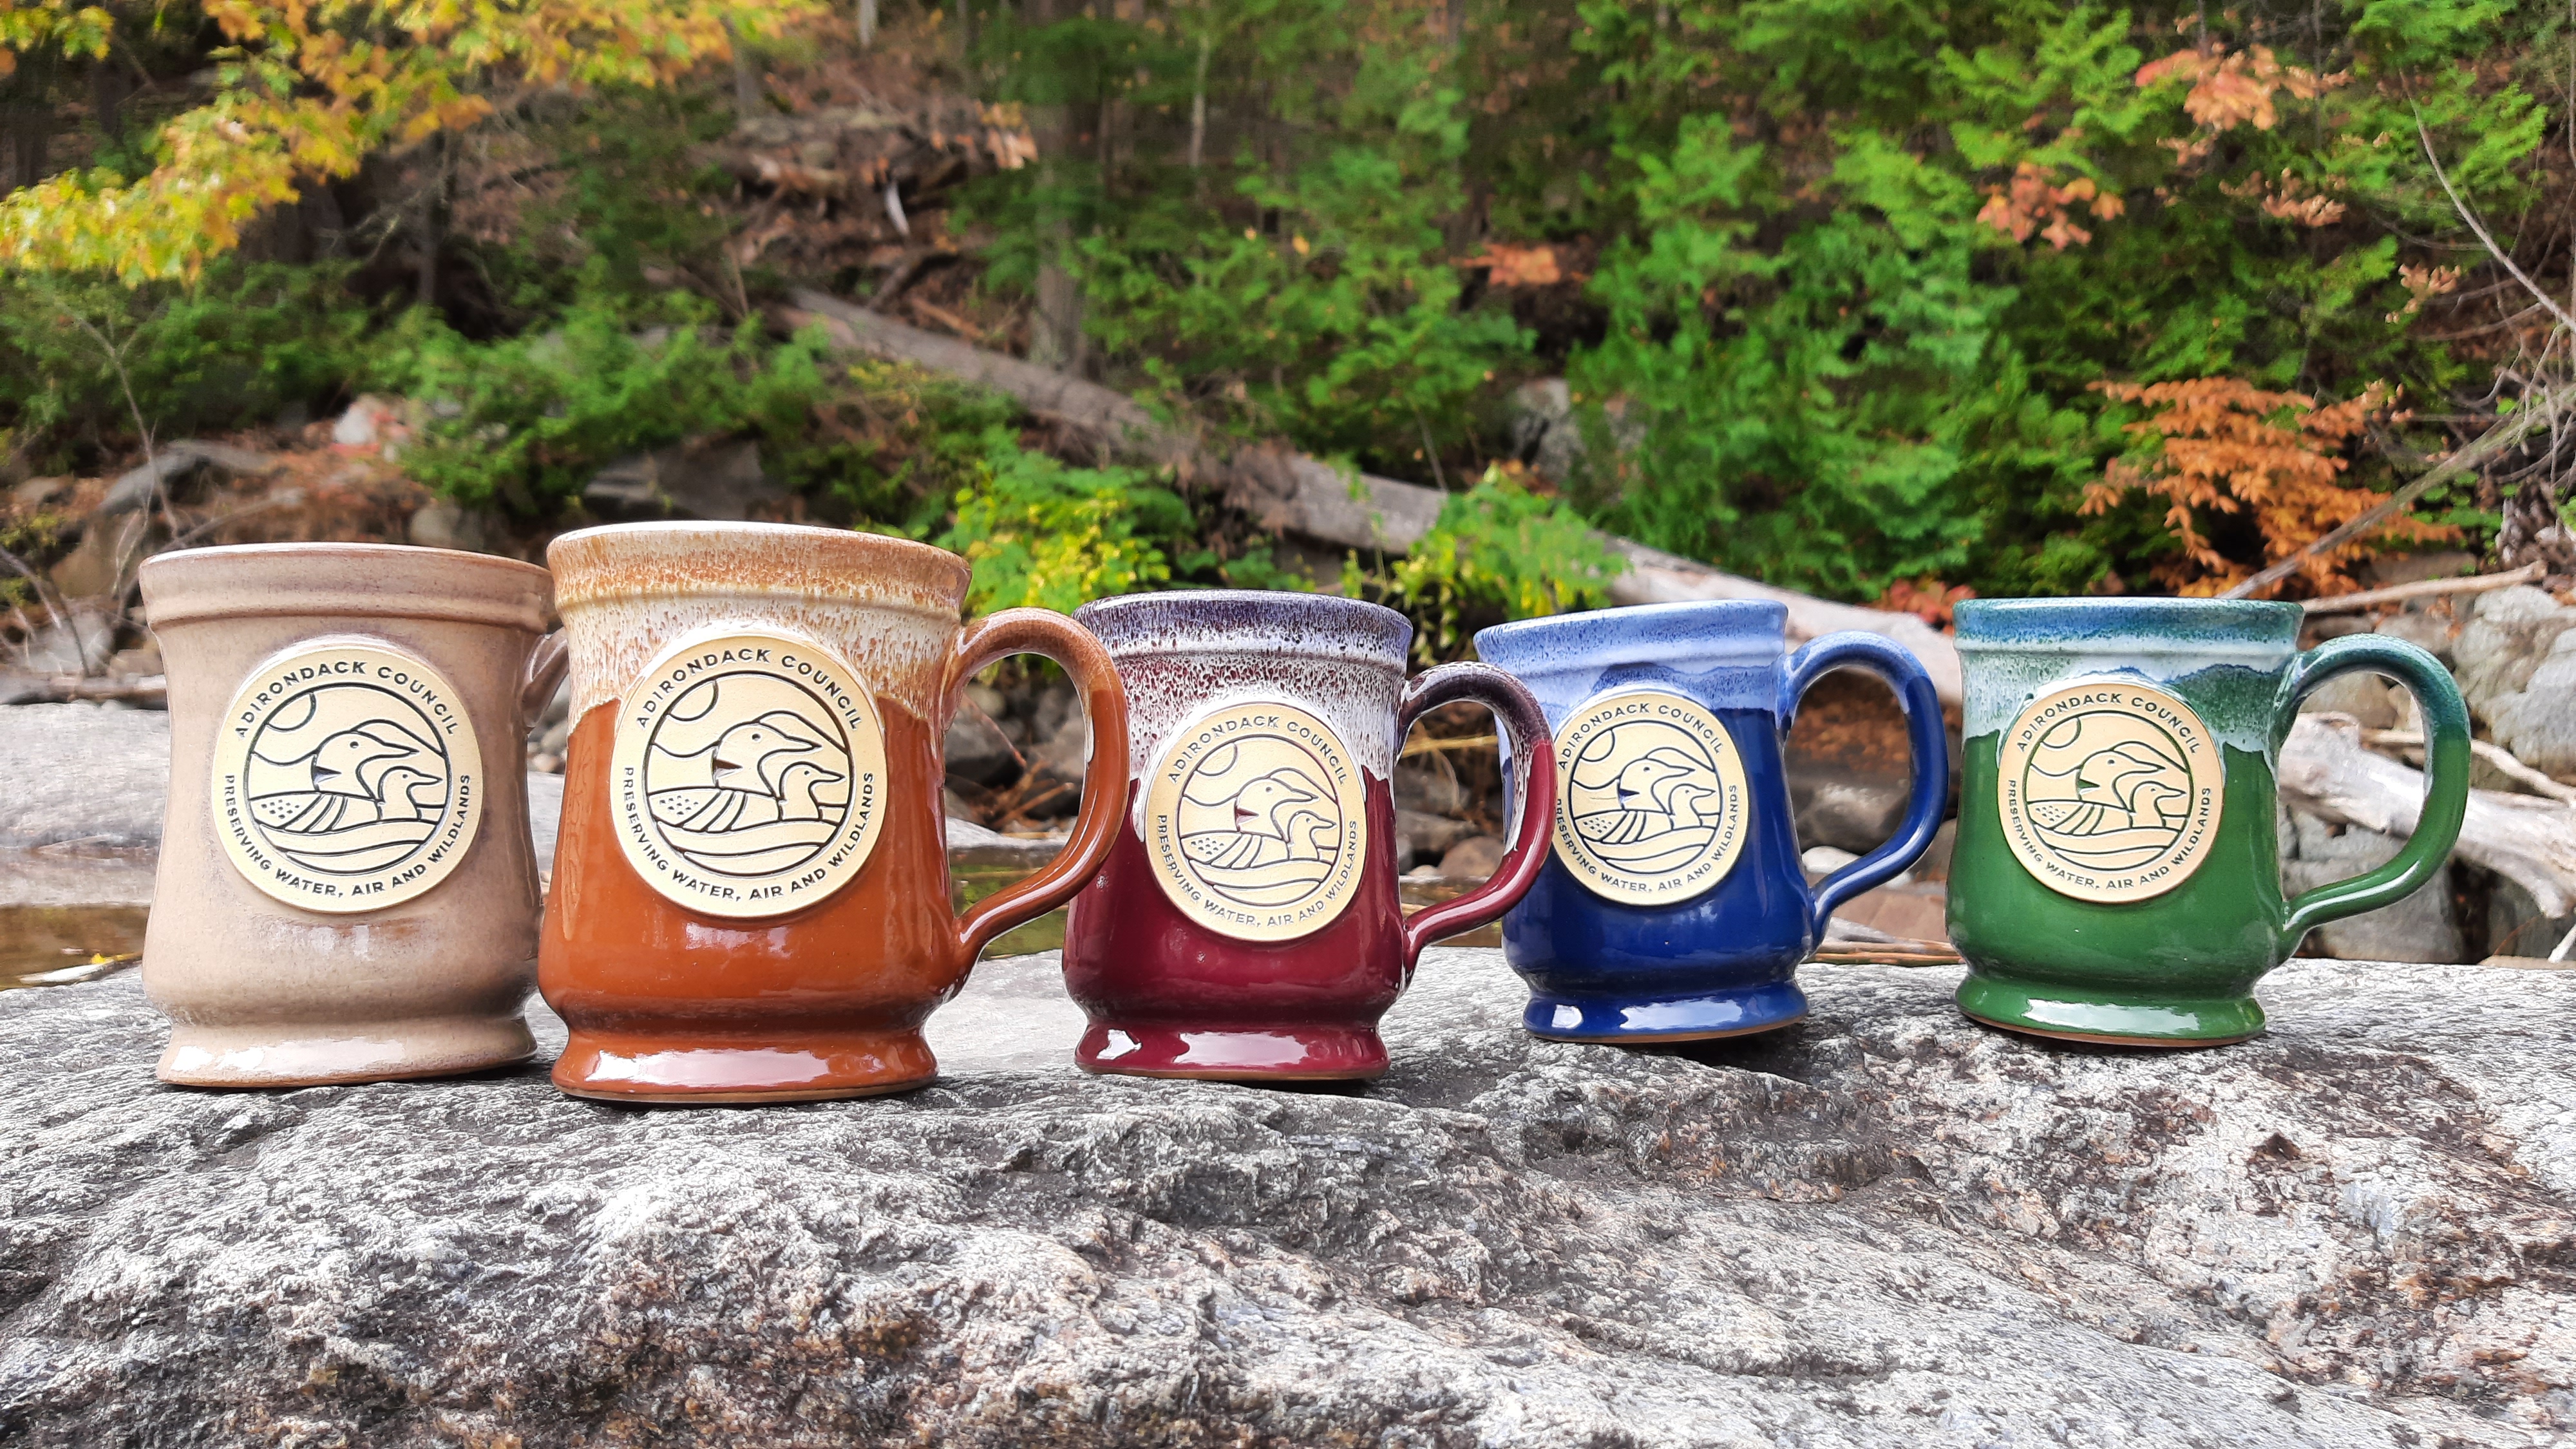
{"x":2230,"y":447}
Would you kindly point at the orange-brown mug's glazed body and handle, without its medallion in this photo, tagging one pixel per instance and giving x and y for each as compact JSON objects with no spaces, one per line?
{"x":671,"y":1004}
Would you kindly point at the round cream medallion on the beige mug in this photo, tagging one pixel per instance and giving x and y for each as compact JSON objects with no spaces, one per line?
{"x":346,"y":777}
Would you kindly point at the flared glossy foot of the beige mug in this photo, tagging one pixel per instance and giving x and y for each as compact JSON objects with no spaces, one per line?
{"x":341,"y":1053}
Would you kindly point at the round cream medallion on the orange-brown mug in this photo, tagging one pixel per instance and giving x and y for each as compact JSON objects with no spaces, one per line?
{"x":748,"y":775}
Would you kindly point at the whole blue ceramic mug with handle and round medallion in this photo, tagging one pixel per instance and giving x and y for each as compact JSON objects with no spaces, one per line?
{"x":1673,"y":904}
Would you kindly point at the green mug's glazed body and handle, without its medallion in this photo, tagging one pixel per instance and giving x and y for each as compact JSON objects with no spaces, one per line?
{"x":2173,"y":968}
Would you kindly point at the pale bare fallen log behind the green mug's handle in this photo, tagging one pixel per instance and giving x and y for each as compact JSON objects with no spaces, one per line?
{"x":2521,"y":837}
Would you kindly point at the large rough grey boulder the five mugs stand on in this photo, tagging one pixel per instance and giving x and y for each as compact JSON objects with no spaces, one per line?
{"x":1882,"y":1226}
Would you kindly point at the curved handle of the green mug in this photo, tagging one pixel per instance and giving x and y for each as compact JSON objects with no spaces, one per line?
{"x":2446,"y":749}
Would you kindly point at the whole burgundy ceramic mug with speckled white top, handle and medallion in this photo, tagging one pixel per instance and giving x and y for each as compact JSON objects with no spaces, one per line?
{"x":1248,"y":924}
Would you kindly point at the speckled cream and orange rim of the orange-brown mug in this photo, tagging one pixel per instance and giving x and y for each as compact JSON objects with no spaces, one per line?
{"x":578,"y":579}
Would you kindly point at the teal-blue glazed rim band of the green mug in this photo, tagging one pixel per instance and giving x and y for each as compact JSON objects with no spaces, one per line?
{"x":2129,"y":628}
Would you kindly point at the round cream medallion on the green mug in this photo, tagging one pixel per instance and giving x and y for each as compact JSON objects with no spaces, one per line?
{"x":2111,"y":790}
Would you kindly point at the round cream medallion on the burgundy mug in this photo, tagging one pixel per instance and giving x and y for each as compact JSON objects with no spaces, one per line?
{"x":1258,"y":821}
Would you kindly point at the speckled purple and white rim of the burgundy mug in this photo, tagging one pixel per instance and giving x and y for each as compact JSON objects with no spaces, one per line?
{"x":1251,"y":620}
